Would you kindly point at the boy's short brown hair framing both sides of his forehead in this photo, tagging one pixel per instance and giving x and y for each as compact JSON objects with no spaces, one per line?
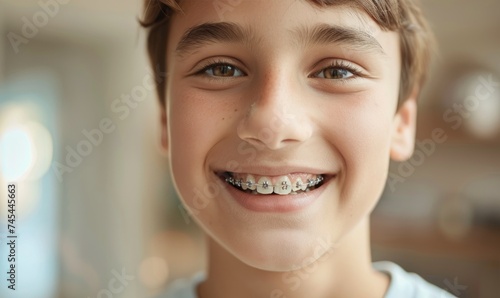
{"x":402,"y":16}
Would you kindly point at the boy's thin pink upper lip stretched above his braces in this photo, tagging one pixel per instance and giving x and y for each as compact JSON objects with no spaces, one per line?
{"x":266,"y":170}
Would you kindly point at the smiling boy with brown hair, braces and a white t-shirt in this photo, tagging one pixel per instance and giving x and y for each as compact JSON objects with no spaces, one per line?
{"x":280,"y":118}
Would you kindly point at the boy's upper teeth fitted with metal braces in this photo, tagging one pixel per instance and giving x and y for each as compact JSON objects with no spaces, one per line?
{"x":282,"y":186}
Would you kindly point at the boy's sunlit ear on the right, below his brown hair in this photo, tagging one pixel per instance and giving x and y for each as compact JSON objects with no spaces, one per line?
{"x":404,"y":126}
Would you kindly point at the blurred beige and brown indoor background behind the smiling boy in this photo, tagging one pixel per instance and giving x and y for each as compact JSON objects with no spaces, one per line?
{"x":97,"y":214}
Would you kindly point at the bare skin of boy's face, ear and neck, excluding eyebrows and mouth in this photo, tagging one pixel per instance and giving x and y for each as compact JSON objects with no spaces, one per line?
{"x":347,"y":125}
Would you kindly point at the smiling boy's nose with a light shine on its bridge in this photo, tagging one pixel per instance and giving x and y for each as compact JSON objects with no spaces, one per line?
{"x":278,"y":116}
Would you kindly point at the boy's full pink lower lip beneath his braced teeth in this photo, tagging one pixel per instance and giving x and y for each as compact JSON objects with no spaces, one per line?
{"x":276,"y":203}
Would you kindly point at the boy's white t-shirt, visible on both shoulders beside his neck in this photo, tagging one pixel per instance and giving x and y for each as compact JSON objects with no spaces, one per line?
{"x":402,"y":285}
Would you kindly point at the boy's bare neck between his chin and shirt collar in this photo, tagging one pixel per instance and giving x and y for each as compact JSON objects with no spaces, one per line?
{"x":337,"y":274}
